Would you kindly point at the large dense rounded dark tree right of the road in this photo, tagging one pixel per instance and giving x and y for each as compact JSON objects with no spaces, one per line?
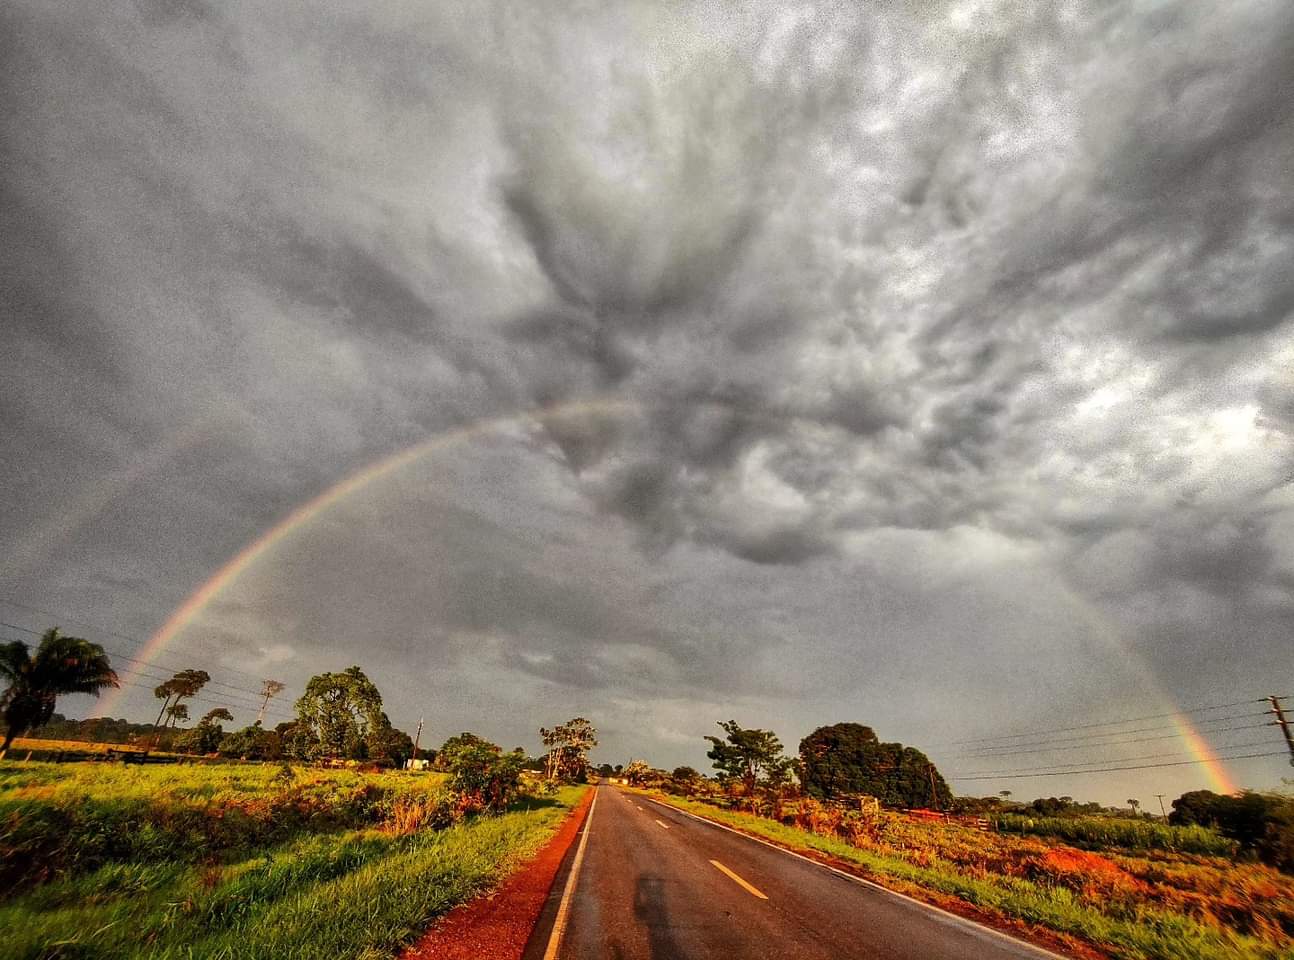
{"x":850,"y":759}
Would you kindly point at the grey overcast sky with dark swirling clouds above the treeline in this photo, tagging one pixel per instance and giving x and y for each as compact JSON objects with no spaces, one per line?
{"x":943,"y":355}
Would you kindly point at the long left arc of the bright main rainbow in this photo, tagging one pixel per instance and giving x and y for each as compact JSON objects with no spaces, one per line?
{"x":303,"y":516}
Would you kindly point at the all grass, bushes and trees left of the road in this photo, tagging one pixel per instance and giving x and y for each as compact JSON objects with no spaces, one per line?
{"x":301,"y":844}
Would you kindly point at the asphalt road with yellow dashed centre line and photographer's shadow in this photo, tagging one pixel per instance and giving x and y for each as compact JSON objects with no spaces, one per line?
{"x":655,"y":883}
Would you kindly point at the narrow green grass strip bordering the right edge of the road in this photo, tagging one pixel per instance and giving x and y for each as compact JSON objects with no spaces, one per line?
{"x":1137,"y":932}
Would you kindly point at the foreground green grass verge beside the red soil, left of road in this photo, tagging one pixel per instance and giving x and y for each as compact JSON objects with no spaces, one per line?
{"x":340,"y":895}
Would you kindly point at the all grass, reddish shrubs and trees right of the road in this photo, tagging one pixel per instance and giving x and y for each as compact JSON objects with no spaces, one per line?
{"x":1208,"y":884}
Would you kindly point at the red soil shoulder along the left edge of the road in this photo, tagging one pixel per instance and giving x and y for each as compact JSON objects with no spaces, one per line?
{"x":498,"y":927}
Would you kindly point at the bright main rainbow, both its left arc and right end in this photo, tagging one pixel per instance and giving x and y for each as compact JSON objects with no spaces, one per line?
{"x":303,"y":516}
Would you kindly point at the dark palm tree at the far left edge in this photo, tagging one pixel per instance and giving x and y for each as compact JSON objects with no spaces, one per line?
{"x":61,"y":666}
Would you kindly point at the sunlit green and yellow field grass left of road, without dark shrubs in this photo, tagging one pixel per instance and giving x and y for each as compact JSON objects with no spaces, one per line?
{"x":329,"y":889}
